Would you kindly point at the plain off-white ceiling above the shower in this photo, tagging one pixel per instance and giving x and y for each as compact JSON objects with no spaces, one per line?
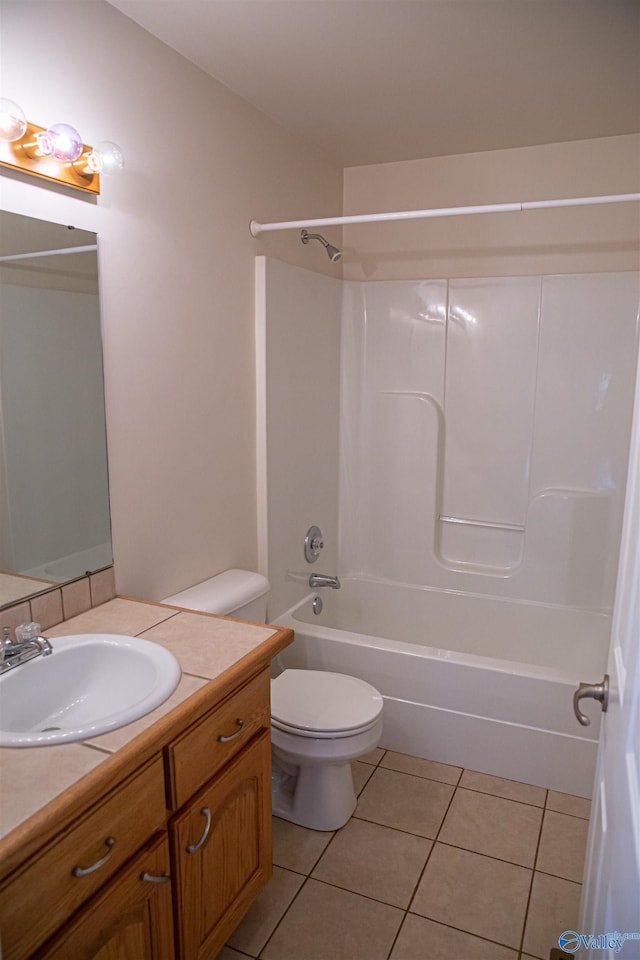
{"x":370,"y":81}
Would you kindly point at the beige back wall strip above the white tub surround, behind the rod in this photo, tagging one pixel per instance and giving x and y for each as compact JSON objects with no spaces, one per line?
{"x":503,"y":244}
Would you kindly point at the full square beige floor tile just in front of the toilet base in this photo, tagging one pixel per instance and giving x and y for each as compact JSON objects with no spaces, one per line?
{"x":375,"y":861}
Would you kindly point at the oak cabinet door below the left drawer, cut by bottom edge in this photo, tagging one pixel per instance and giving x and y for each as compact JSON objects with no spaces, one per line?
{"x":131,"y":919}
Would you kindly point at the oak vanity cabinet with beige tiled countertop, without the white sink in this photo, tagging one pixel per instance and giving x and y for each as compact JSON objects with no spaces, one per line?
{"x":152,"y":841}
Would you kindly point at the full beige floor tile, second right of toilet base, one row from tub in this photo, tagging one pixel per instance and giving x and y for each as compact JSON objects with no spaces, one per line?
{"x":493,"y":826}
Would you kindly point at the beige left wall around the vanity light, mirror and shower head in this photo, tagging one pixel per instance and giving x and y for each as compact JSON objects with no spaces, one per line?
{"x":177,"y":264}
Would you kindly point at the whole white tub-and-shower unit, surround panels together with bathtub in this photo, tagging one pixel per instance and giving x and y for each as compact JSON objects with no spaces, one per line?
{"x":477,"y":499}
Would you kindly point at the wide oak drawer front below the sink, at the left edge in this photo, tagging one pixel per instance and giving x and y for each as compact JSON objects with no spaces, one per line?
{"x":36,"y":900}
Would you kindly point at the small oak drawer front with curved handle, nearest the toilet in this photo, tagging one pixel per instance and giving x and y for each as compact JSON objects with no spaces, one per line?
{"x":206,"y":747}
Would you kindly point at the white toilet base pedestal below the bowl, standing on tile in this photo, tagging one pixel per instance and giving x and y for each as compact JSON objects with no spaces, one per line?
{"x":319,"y":797}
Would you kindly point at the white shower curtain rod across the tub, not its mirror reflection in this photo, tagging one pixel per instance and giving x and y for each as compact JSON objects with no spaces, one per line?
{"x":258,"y":228}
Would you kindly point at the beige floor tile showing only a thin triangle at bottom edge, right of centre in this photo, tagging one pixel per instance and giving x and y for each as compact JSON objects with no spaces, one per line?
{"x":420,"y":939}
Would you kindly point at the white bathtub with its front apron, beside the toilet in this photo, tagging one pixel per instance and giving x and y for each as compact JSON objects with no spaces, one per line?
{"x":477,"y":682}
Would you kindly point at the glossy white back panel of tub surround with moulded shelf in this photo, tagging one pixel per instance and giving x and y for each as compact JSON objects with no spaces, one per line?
{"x":485,"y":430}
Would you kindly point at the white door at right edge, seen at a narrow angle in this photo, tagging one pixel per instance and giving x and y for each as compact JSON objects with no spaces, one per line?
{"x":611,"y":892}
